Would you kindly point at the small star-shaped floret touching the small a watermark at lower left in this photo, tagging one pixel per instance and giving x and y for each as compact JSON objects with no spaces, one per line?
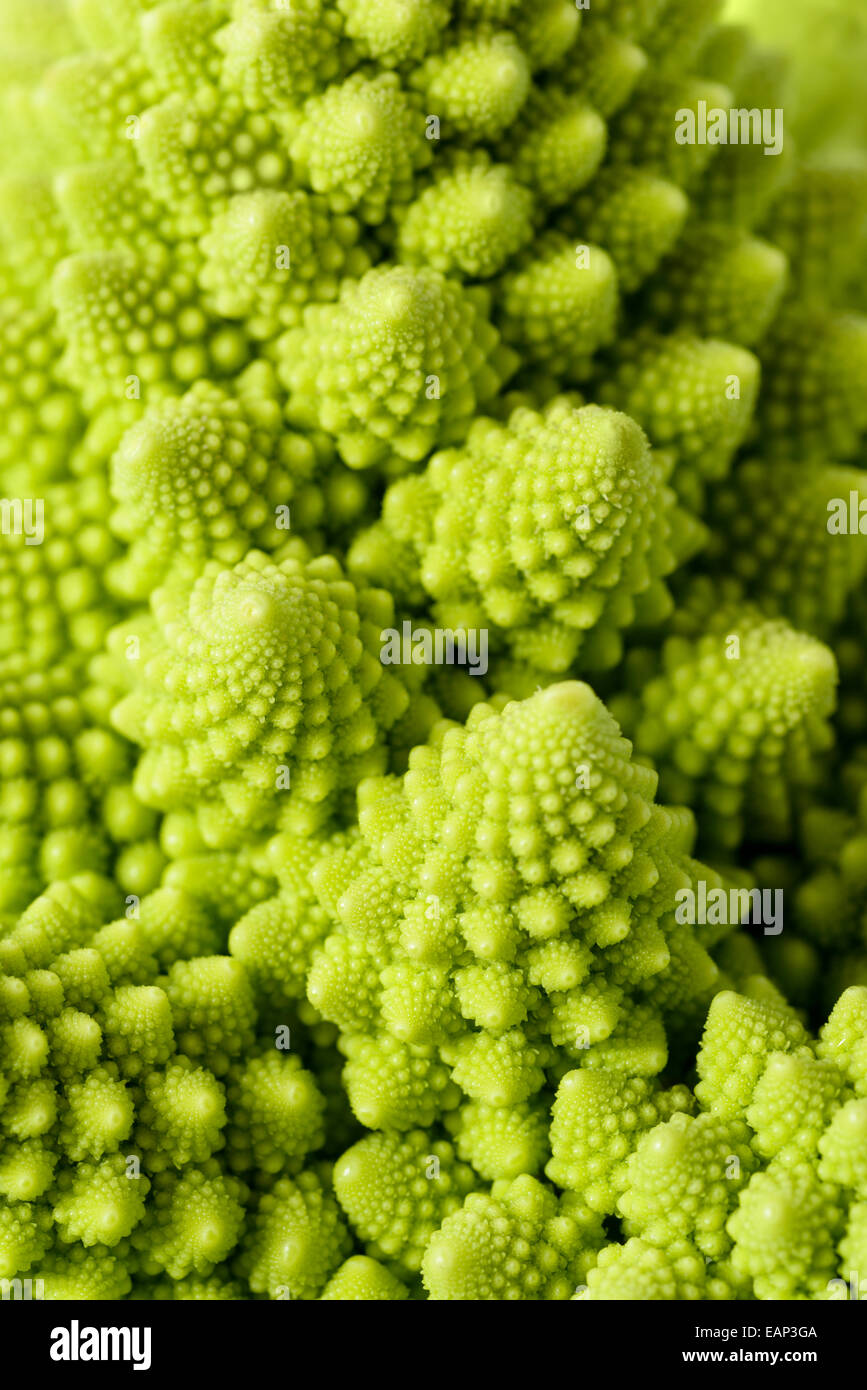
{"x":101,"y":1203}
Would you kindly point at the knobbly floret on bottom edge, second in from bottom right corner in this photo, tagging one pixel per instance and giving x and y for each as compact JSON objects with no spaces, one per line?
{"x":786,"y":1232}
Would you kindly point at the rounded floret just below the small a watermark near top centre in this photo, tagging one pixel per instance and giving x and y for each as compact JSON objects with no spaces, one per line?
{"x":472,"y":219}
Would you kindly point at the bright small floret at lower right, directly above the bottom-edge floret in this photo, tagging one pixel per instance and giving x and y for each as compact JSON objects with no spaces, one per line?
{"x":793,"y":1102}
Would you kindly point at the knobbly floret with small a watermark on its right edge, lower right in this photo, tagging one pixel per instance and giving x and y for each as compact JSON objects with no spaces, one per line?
{"x":663,"y":1199}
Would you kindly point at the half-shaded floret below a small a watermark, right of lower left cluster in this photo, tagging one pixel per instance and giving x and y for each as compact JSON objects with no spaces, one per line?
{"x":276,"y":1113}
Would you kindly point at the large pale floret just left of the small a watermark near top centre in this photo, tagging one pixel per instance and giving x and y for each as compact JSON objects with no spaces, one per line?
{"x":361,"y":145}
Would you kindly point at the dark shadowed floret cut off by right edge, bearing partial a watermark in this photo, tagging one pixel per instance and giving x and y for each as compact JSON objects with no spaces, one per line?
{"x":769,"y":534}
